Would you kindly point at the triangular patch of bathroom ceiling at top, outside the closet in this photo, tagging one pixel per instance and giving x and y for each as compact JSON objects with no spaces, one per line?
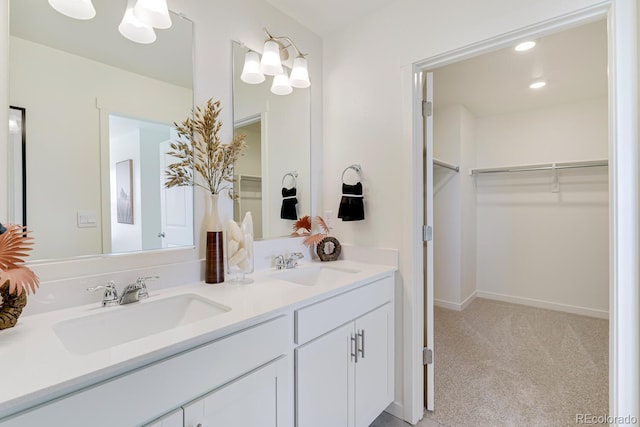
{"x":326,"y":16}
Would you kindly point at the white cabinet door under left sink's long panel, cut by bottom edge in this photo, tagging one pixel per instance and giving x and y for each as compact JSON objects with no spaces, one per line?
{"x":249,"y":401}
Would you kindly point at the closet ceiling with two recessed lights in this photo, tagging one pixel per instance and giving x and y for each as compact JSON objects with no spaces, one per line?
{"x":572,"y":62}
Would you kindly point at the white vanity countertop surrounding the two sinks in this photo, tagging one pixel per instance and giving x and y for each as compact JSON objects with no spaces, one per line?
{"x":36,"y":366}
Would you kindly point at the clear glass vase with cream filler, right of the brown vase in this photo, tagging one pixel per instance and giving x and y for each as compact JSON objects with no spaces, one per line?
{"x":240,"y":249}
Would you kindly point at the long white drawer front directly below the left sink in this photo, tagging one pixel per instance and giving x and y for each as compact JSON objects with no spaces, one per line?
{"x":140,"y":396}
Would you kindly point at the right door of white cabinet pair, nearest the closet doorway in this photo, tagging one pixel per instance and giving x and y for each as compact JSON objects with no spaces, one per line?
{"x":374,"y":378}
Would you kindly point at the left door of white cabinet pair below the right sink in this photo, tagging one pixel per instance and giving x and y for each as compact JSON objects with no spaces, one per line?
{"x":324,"y":380}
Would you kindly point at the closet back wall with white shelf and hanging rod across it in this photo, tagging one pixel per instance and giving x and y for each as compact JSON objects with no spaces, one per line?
{"x":535,"y":246}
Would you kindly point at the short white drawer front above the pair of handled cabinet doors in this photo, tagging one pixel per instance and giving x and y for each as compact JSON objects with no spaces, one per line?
{"x":319,"y":318}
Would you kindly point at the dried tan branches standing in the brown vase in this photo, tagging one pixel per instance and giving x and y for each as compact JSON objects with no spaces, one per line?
{"x":203,"y":152}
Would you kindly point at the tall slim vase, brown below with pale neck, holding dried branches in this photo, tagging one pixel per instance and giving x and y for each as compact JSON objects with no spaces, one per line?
{"x":214,"y":257}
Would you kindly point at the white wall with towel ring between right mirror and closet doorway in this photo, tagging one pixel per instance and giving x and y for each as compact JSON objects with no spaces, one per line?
{"x":365,"y":78}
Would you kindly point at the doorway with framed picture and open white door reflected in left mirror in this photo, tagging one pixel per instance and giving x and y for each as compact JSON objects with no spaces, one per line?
{"x":143,"y":213}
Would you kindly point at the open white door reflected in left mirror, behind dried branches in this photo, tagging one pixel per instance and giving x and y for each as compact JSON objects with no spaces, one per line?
{"x":176,"y":209}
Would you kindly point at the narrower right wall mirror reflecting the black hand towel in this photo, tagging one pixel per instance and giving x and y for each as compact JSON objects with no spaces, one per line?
{"x":274,"y":172}
